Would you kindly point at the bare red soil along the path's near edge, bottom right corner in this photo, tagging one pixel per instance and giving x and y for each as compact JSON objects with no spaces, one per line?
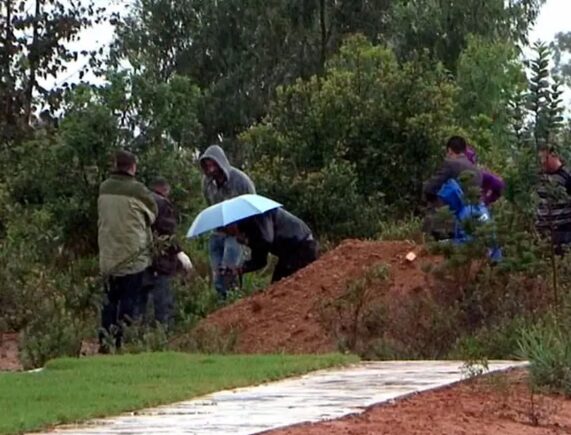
{"x":492,"y":405}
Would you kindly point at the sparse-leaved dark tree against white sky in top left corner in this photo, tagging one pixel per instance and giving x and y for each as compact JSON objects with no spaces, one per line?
{"x":33,"y":49}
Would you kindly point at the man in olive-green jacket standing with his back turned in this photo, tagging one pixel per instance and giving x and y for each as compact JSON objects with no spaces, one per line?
{"x":126,"y":210}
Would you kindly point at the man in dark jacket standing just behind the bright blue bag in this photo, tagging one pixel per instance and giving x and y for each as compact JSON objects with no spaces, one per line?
{"x":455,"y":165}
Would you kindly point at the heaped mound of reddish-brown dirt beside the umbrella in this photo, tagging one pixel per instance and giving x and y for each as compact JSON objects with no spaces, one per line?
{"x":287,"y":317}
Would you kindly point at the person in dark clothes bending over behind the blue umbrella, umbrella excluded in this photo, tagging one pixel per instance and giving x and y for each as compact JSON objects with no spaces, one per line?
{"x":282,"y":234}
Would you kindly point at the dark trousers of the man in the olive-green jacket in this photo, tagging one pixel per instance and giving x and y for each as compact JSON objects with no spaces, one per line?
{"x":120,"y":306}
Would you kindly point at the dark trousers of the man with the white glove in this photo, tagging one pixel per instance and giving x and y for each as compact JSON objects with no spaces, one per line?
{"x":157,"y":287}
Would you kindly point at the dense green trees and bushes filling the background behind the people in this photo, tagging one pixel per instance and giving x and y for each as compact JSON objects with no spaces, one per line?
{"x":337,"y":109}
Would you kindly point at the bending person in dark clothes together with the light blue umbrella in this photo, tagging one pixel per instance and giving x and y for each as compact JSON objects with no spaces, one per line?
{"x":266,"y":228}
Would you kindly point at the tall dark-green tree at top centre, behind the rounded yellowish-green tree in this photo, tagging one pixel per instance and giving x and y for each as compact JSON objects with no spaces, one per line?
{"x":239,"y":51}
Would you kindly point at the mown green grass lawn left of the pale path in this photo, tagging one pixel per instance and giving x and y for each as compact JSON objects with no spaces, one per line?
{"x":70,"y":390}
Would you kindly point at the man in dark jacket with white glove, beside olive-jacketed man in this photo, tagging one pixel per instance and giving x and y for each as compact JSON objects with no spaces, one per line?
{"x":168,"y":255}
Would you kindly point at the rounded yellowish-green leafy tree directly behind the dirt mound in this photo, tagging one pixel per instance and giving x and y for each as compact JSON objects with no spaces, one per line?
{"x":377,"y":121}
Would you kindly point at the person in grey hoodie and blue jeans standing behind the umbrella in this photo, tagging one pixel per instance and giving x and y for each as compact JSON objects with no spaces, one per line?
{"x":222,"y":181}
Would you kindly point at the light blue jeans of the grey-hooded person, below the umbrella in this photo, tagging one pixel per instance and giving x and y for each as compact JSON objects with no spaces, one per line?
{"x":226,"y":254}
